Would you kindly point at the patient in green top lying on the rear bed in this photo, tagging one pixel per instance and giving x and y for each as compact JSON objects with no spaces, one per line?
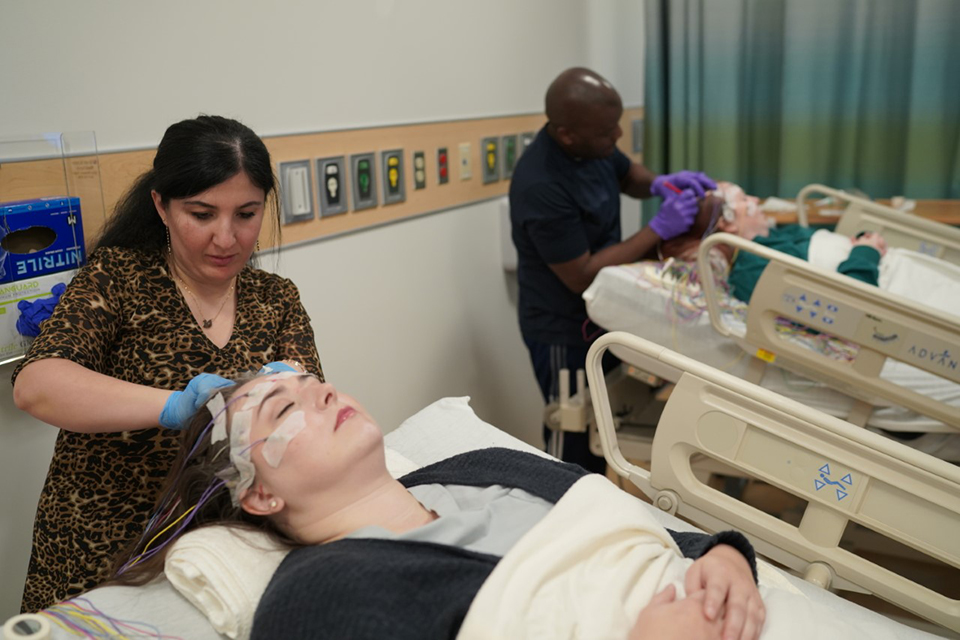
{"x":728,"y":209}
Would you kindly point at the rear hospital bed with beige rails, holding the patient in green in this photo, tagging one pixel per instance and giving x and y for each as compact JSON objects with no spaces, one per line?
{"x":693,"y":315}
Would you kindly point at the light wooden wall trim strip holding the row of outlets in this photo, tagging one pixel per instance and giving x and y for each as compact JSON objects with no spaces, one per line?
{"x":118,"y":170}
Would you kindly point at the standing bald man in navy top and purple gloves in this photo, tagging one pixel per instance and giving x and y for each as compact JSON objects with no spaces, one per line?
{"x":565,"y":213}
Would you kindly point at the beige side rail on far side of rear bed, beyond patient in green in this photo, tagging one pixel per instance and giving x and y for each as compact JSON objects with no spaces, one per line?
{"x":898,"y":228}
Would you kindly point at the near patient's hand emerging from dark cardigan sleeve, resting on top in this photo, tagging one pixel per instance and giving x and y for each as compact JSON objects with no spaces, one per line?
{"x":723,"y":575}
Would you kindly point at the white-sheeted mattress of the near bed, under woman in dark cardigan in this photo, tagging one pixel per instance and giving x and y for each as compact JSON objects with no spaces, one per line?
{"x":445,"y":428}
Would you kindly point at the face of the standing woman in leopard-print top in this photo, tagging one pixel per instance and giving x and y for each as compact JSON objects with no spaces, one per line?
{"x":213,"y":234}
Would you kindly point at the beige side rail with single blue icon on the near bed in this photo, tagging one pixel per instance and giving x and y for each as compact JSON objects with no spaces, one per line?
{"x":846,"y":474}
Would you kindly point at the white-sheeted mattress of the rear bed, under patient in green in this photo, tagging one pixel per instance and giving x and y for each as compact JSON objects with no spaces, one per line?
{"x":661,"y":305}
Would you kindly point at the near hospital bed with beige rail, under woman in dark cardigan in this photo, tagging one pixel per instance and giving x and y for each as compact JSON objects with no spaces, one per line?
{"x":733,"y":411}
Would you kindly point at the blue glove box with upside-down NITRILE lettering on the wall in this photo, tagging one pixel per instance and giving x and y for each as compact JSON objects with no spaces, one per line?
{"x":39,"y":237}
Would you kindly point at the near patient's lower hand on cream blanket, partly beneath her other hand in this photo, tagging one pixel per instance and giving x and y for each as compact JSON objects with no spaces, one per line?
{"x":667,"y":618}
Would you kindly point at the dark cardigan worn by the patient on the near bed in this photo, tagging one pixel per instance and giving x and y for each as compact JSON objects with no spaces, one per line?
{"x":375,"y":588}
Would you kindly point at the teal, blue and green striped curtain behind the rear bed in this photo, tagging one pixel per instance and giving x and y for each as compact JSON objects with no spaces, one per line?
{"x":776,"y":94}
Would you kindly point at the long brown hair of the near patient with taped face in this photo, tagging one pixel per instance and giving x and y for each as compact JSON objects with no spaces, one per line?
{"x":190,"y":477}
